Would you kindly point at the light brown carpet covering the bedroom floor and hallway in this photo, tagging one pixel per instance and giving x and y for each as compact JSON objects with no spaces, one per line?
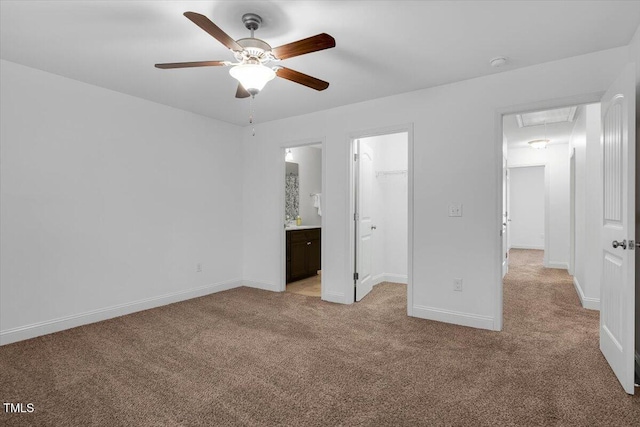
{"x":257,"y":358}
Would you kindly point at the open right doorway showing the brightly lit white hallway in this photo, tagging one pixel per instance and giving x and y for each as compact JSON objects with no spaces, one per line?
{"x":553,"y":159}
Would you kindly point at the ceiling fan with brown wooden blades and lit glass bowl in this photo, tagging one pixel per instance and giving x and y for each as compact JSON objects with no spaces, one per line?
{"x":252,"y":54}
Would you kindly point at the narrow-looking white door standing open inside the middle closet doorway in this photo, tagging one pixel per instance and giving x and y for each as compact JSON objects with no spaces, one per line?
{"x":364,"y":220}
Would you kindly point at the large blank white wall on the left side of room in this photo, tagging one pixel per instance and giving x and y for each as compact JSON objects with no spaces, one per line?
{"x":108,"y":202}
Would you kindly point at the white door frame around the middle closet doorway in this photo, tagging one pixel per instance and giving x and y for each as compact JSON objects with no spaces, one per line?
{"x":351,"y":170}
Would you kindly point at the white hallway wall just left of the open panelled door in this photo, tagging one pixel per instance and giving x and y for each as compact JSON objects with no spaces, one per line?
{"x":585,"y":139}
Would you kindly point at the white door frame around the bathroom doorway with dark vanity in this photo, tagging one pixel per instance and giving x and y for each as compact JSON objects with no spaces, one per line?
{"x":283,"y":236}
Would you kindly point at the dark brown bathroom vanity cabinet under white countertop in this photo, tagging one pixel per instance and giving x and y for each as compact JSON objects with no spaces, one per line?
{"x":303,"y":253}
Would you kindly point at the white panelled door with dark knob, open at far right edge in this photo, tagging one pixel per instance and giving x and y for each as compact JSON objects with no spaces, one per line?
{"x":617,"y":295}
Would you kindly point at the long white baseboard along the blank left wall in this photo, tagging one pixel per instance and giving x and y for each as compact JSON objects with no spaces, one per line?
{"x":55,"y":325}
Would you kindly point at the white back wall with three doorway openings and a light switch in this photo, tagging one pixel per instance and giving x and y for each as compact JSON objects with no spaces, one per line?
{"x":456,"y":158}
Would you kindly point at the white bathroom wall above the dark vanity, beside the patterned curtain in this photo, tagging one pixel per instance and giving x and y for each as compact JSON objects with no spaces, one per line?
{"x":309,"y":161}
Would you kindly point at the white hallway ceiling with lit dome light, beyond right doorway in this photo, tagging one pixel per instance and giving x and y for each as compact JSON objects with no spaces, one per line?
{"x":556,"y":133}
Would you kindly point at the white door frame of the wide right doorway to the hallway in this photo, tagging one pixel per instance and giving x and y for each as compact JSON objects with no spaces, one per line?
{"x":499,"y":113}
